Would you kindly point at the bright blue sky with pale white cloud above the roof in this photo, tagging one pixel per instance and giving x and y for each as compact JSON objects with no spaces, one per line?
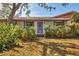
{"x":38,"y":11}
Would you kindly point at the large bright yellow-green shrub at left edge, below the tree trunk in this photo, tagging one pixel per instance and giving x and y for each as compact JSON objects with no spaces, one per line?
{"x":8,"y":36}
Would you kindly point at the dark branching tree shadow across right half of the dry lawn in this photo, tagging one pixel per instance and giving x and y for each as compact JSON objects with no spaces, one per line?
{"x":57,"y":47}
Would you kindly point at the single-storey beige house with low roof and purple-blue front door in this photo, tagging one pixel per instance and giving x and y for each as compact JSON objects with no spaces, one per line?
{"x":39,"y":23}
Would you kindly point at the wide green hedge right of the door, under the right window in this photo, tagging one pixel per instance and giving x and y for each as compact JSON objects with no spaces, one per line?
{"x":57,"y":31}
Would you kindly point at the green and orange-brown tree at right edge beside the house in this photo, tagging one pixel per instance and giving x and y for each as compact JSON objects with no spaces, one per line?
{"x":74,"y":25}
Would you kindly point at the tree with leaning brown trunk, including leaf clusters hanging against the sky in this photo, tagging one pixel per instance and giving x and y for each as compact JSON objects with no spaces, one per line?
{"x":13,"y":7}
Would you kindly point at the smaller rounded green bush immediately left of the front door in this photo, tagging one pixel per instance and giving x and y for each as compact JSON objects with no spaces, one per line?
{"x":29,"y":33}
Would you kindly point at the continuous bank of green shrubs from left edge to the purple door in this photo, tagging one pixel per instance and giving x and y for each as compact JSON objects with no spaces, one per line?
{"x":12,"y":35}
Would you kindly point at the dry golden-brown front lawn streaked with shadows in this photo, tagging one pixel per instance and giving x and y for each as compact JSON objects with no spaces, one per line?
{"x":50,"y":47}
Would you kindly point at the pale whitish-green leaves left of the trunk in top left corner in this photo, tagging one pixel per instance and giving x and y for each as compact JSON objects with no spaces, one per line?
{"x":5,"y":10}
